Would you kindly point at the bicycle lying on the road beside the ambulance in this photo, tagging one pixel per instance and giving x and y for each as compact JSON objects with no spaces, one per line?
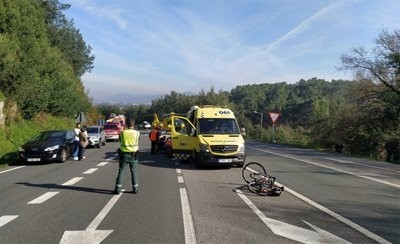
{"x":259,"y":182}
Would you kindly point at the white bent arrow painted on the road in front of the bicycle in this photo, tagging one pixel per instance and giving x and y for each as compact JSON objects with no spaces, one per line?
{"x":290,"y":231}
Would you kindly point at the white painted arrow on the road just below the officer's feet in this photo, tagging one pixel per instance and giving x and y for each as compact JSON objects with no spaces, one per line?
{"x":90,"y":235}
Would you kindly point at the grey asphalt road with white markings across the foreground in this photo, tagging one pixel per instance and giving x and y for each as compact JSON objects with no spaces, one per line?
{"x":328,"y":198}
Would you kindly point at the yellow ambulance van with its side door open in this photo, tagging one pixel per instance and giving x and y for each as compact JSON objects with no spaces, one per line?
{"x":209,"y":135}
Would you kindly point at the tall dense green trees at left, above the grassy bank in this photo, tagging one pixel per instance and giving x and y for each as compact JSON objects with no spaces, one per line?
{"x":42,"y":57}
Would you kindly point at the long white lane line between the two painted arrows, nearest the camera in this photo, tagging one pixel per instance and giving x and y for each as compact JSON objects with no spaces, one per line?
{"x":190,"y":236}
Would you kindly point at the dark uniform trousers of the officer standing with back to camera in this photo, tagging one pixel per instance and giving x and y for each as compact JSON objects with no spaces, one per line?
{"x":131,"y":159}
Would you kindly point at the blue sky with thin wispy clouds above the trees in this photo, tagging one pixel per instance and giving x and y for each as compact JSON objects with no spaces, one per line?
{"x":153,"y":47}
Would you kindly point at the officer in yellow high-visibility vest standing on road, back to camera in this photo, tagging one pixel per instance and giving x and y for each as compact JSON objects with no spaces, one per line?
{"x":128,"y":154}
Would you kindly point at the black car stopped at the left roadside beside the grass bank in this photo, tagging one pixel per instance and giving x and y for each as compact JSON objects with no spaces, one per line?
{"x":55,"y":145}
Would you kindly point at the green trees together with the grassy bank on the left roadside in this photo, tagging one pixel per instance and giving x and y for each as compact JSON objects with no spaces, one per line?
{"x":42,"y":59}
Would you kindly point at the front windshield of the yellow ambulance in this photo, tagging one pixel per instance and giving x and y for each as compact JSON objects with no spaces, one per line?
{"x":218,"y":126}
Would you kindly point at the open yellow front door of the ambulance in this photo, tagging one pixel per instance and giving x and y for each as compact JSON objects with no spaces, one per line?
{"x":184,"y":139}
